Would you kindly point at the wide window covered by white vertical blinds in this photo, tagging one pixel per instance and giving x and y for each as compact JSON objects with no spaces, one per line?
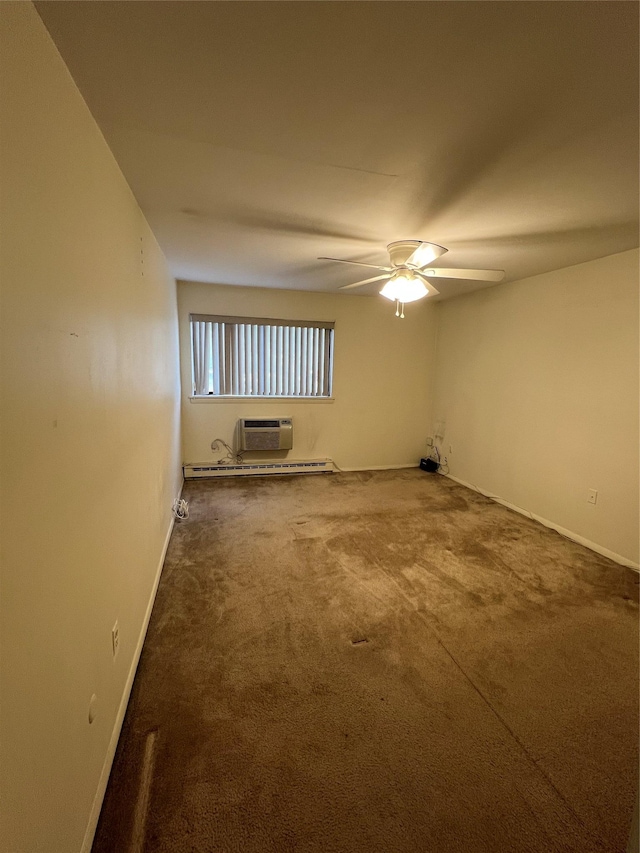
{"x":250,"y":357}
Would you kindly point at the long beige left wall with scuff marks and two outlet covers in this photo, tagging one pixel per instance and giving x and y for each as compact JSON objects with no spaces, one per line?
{"x":90,"y":440}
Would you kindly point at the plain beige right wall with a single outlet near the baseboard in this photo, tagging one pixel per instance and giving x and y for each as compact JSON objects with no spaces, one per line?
{"x":537,"y":383}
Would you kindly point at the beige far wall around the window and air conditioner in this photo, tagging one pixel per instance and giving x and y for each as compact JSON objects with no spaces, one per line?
{"x":381,"y":382}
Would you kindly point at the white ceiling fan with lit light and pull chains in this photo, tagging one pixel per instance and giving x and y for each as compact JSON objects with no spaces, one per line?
{"x":409,"y":272}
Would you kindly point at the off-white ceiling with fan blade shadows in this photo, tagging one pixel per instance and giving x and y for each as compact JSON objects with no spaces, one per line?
{"x":257,"y":136}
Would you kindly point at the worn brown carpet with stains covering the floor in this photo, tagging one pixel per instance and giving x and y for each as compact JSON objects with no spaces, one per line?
{"x":382,"y":662}
